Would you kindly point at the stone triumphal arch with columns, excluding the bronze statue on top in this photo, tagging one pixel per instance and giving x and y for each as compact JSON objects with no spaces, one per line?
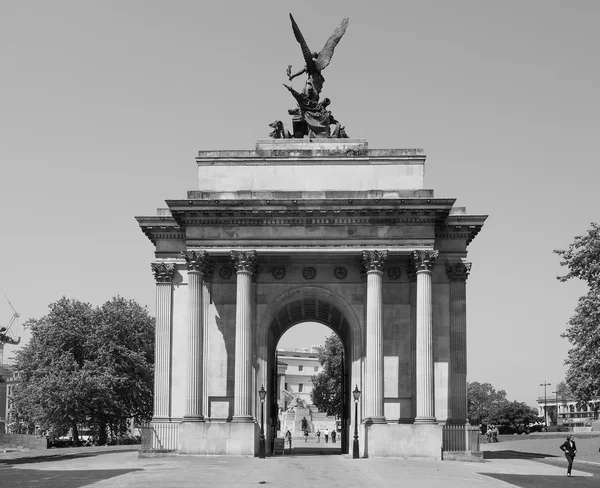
{"x":297,"y":230}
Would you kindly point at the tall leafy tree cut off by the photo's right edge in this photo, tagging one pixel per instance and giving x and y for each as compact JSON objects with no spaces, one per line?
{"x":582,"y":258}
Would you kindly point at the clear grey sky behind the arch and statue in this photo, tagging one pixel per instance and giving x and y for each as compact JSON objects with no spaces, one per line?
{"x":104,"y":106}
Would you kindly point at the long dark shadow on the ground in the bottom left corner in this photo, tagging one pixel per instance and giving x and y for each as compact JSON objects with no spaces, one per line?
{"x":24,"y":478}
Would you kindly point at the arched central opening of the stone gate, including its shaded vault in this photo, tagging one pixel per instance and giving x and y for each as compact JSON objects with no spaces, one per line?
{"x":299,"y":313}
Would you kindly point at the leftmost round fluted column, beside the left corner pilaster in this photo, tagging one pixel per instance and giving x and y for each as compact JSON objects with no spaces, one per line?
{"x":197,"y":264}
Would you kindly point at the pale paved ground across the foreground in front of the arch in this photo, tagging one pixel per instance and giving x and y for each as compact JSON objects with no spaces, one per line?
{"x":508,"y":463}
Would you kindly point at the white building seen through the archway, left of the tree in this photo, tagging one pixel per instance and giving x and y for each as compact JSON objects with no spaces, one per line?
{"x":295,"y":369}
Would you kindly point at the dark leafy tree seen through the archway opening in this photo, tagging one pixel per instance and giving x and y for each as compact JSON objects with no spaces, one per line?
{"x":327,"y":385}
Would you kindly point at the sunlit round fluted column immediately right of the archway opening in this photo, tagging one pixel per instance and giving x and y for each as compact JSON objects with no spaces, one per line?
{"x":373,"y":263}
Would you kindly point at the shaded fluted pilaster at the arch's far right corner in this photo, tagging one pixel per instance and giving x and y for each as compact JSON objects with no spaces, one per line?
{"x":458,"y":272}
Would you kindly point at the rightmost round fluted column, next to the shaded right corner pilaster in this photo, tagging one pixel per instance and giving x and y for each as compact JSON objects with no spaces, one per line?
{"x":423,"y":262}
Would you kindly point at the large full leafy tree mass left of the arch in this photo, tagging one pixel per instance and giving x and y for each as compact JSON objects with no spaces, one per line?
{"x":87,"y":366}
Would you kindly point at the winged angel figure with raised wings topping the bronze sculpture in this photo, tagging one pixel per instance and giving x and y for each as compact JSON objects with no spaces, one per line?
{"x":315,"y":62}
